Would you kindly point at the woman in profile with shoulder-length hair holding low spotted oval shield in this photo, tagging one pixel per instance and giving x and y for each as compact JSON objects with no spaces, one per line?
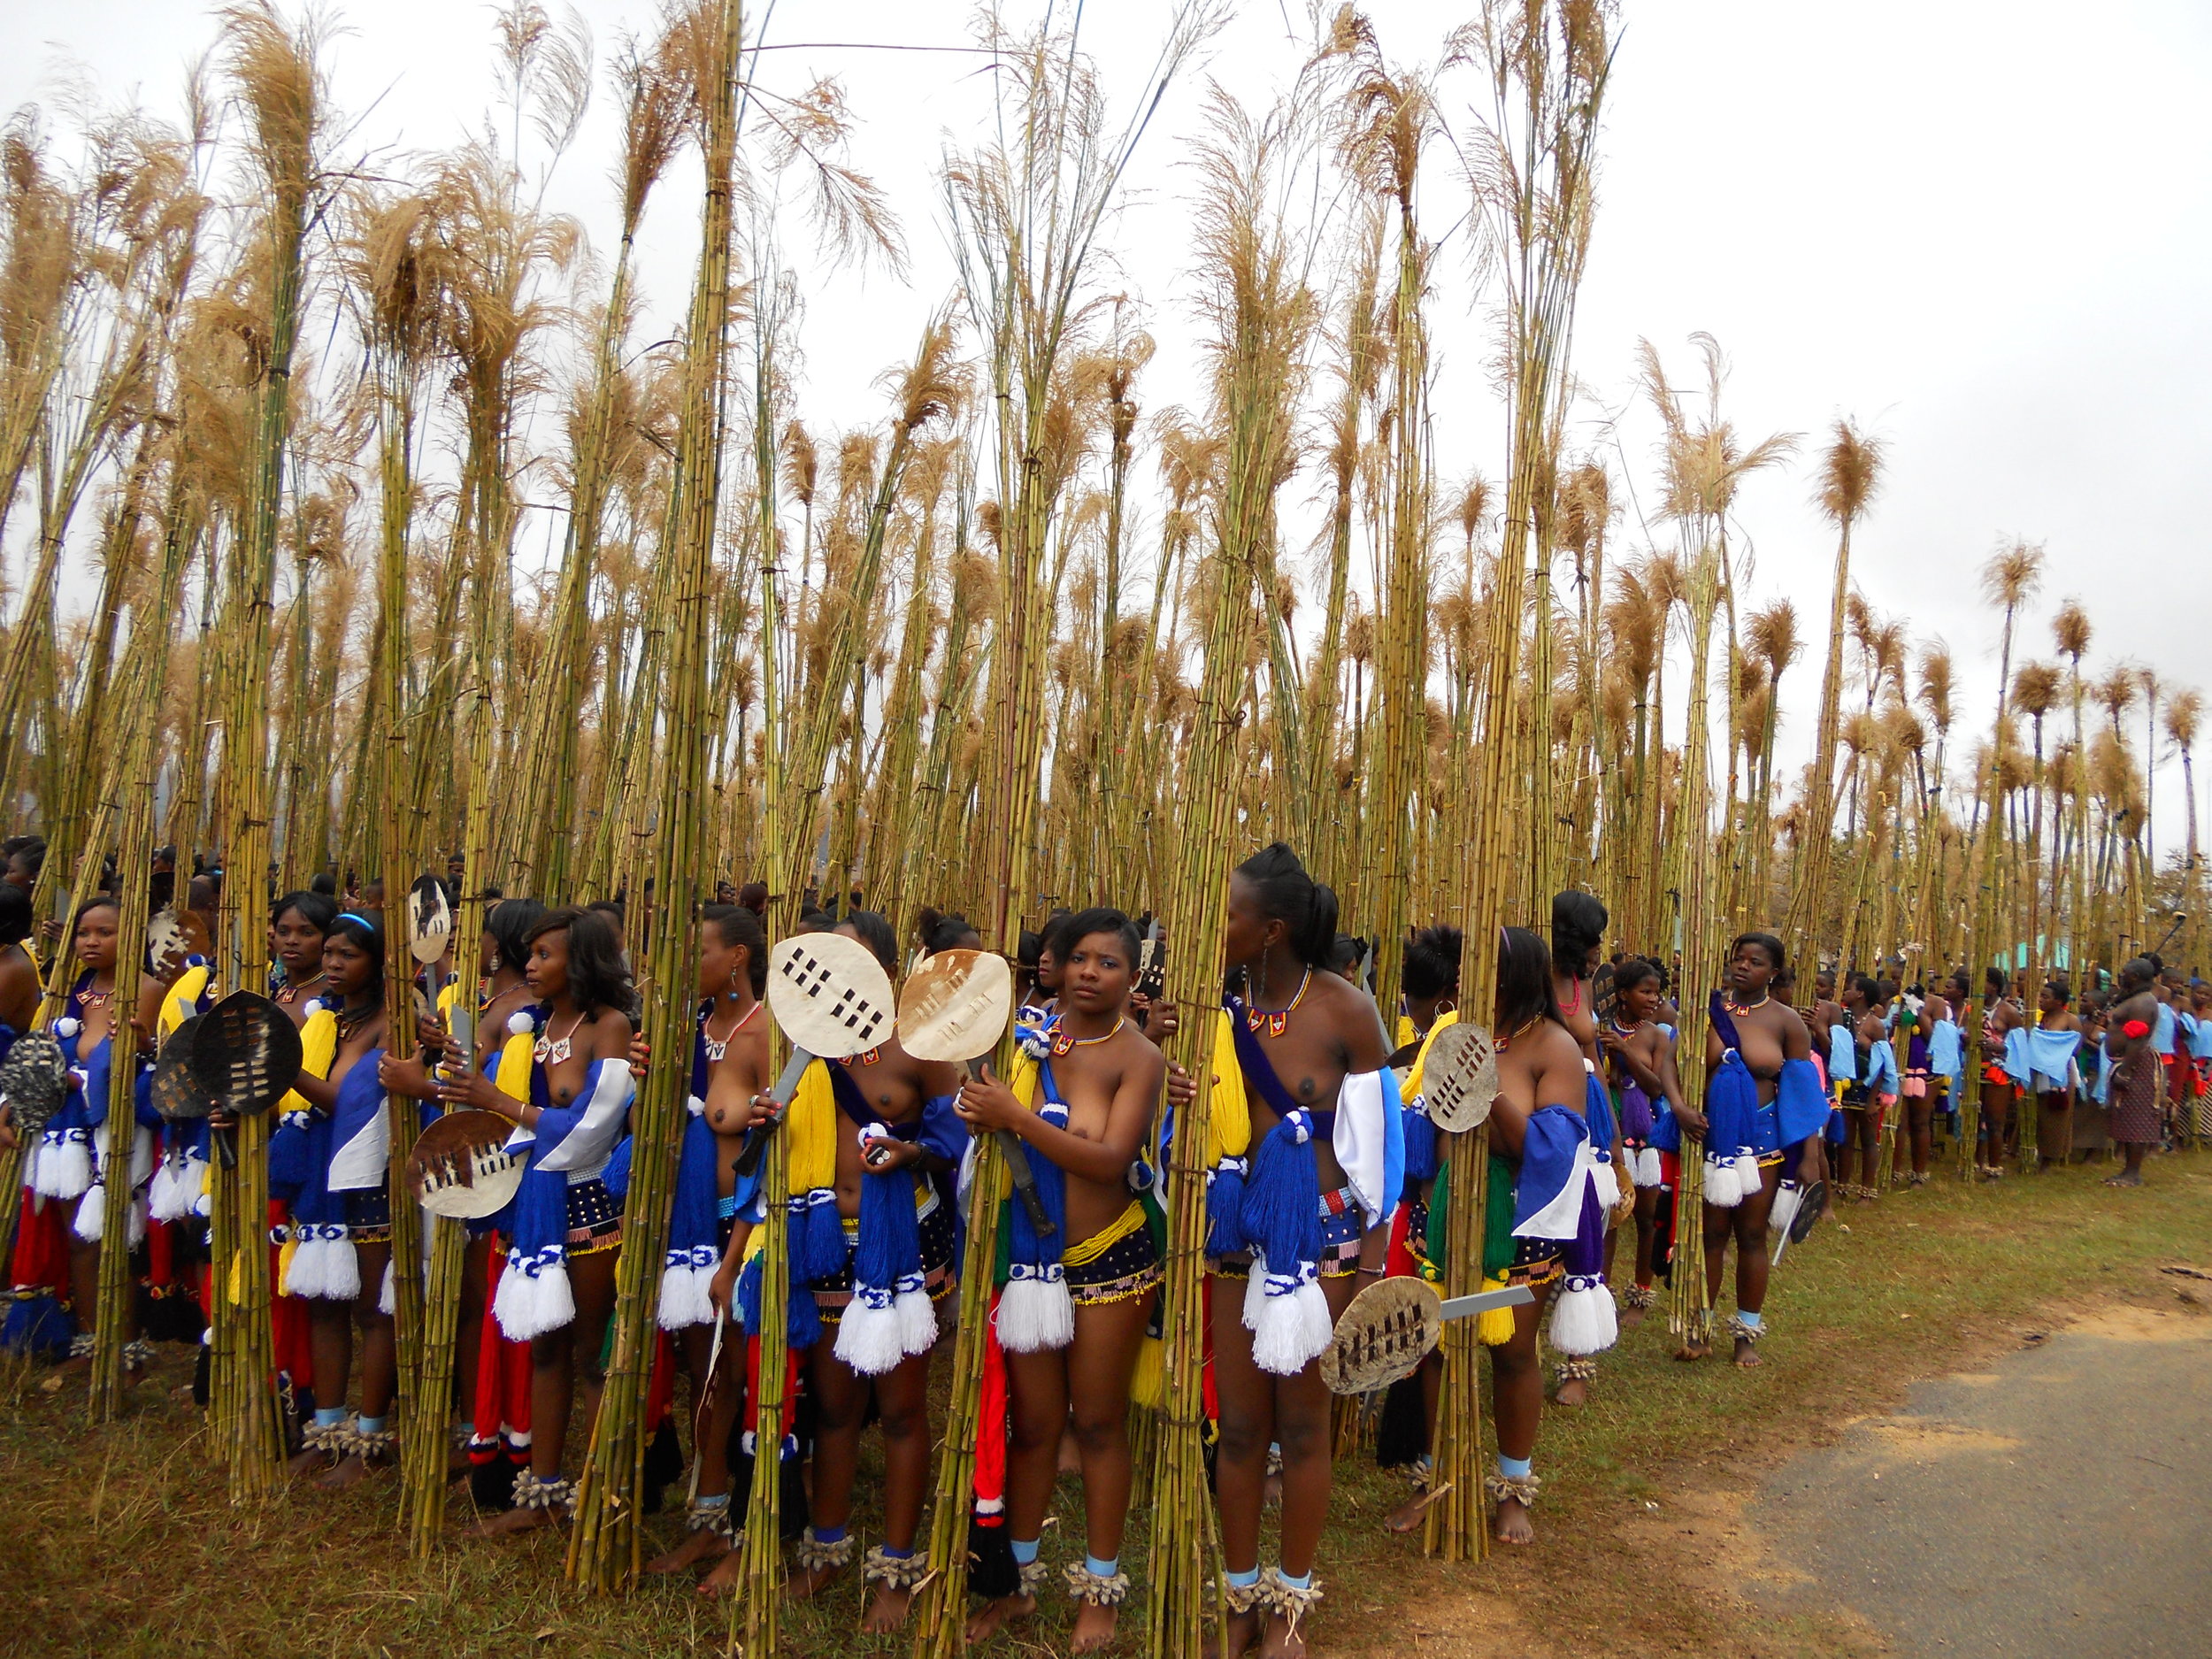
{"x":559,"y":1288}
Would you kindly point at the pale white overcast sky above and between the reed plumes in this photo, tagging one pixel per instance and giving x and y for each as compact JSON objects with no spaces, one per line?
{"x":1981,"y":229}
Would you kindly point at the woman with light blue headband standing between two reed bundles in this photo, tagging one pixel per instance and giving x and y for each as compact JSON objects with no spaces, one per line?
{"x":344,"y":1213}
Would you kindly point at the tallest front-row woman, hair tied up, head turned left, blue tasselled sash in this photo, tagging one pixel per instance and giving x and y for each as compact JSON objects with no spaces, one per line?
{"x":1311,"y":1078}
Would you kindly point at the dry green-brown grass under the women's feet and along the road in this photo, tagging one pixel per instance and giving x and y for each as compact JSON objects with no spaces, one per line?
{"x":121,"y":1541}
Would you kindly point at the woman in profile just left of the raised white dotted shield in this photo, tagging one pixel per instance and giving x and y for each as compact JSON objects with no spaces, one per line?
{"x":729,"y":1070}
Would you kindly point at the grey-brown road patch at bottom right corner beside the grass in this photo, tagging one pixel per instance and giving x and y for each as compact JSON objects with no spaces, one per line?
{"x":2052,"y":1505}
